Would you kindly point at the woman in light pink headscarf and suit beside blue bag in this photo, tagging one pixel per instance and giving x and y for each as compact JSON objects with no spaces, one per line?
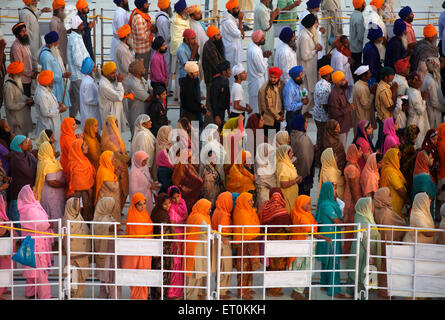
{"x":30,"y":209}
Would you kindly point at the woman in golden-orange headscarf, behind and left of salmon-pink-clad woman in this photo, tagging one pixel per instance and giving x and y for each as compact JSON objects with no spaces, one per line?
{"x":111,"y":141}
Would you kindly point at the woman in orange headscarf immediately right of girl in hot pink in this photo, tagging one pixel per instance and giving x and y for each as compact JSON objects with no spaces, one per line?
{"x":200,"y":214}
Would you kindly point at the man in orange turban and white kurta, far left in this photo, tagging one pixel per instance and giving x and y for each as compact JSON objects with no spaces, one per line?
{"x":46,"y":105}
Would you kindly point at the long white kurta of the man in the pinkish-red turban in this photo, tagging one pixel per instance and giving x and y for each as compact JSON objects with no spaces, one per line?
{"x":256,"y":73}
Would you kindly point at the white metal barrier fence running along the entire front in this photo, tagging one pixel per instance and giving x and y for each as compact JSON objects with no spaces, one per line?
{"x":95,"y":266}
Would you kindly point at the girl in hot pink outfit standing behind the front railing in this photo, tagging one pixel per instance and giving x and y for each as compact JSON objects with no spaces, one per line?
{"x":178,"y":215}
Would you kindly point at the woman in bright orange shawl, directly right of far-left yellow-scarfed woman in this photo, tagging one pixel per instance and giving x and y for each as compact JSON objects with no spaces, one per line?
{"x":81,"y":177}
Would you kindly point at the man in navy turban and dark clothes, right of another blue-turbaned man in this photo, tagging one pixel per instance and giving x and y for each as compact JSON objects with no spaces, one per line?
{"x":397,"y":45}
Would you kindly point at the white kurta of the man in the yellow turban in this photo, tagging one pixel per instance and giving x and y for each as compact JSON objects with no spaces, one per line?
{"x":110,"y":101}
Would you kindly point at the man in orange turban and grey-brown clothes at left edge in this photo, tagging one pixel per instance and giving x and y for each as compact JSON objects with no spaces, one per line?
{"x":17,"y":104}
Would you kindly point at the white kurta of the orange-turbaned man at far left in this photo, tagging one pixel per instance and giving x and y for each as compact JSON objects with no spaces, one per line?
{"x":47,"y":108}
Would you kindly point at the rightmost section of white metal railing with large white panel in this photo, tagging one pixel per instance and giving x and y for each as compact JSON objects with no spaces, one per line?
{"x":413,"y":269}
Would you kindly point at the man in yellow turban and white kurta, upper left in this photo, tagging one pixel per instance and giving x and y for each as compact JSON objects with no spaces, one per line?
{"x":111,"y":94}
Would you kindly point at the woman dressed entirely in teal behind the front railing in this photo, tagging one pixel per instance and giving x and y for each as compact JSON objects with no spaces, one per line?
{"x":329,"y":213}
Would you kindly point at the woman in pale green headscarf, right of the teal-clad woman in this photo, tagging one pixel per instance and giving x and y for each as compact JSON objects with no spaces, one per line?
{"x":364,"y":209}
